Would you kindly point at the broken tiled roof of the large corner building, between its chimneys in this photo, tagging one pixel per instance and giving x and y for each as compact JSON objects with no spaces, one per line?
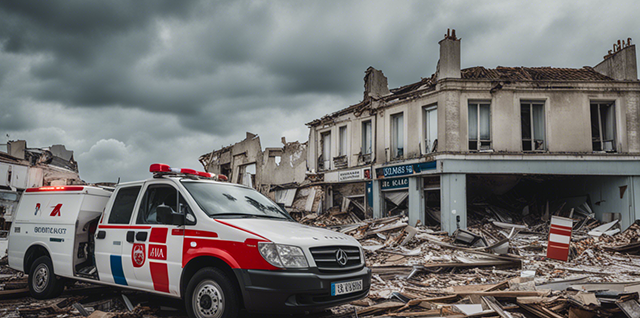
{"x":480,"y":73}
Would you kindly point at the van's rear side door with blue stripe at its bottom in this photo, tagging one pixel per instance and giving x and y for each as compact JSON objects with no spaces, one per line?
{"x":111,"y":236}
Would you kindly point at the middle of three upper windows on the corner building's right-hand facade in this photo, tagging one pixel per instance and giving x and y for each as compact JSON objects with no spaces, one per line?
{"x":532,"y":122}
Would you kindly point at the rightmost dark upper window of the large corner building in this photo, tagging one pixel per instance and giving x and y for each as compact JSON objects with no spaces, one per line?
{"x":603,"y":126}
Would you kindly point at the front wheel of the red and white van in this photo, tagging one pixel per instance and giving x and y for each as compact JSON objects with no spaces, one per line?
{"x":210,"y":294}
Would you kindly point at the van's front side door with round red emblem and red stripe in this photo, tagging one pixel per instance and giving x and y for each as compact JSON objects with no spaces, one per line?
{"x":156,"y":253}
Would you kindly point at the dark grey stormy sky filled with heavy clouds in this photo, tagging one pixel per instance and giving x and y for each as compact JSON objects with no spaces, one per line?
{"x":129,"y":83}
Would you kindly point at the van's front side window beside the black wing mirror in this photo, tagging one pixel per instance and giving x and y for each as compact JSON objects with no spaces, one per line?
{"x":155,"y":196}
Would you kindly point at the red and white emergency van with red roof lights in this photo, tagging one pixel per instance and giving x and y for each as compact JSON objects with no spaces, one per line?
{"x":184,"y":233}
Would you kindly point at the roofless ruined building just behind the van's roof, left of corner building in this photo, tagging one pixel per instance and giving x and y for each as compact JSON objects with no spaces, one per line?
{"x":278,"y":172}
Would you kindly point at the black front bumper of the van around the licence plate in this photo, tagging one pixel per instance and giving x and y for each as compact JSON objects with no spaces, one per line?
{"x":297,"y":291}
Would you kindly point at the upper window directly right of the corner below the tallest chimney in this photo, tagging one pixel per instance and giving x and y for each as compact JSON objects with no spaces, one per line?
{"x":479,"y":126}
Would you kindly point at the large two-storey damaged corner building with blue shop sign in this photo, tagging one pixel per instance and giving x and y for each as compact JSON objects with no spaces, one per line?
{"x":521,"y":138}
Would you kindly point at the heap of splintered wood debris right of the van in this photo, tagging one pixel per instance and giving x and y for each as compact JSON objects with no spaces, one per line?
{"x":494,"y":268}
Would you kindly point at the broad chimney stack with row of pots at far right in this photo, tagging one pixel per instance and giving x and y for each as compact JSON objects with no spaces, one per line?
{"x":620,"y":64}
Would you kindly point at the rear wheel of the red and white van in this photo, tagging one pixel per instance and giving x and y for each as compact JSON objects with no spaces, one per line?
{"x":43,"y":283}
